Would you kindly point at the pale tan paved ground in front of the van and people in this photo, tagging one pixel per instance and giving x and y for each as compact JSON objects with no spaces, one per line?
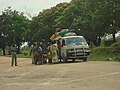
{"x":70,"y":76}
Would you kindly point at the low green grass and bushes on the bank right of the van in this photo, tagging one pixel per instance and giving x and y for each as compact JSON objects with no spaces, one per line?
{"x":106,"y":53}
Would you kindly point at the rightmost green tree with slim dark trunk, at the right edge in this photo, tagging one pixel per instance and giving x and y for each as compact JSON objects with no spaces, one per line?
{"x":111,"y":13}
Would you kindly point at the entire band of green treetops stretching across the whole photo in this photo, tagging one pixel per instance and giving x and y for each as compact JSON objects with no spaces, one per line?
{"x":90,"y":18}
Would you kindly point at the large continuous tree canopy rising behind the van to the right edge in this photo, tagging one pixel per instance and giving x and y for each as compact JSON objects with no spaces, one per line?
{"x":91,"y":18}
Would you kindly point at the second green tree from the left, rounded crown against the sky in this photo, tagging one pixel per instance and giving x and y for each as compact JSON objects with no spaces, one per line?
{"x":20,"y":25}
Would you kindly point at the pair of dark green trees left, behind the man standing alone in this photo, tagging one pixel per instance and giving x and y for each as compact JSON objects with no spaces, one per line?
{"x":13,"y":25}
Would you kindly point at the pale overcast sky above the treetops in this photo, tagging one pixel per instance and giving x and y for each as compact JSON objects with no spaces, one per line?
{"x":30,"y":6}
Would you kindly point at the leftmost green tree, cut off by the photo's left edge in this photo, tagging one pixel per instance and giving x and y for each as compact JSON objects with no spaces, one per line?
{"x":5,"y":27}
